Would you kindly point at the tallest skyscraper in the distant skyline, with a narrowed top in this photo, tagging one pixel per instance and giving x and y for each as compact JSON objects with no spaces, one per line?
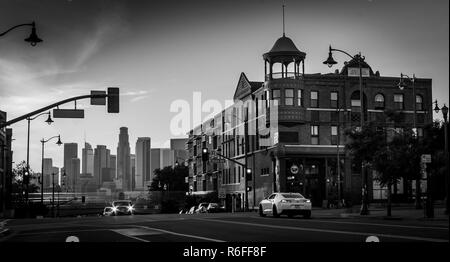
{"x":123,"y":160}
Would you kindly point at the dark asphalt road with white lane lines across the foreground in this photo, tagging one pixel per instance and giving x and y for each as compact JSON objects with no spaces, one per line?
{"x":222,"y":227}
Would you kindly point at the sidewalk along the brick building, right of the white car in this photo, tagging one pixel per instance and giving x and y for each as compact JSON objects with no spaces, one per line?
{"x":379,"y":212}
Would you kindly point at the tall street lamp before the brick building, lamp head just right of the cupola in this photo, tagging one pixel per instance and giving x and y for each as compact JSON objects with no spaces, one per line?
{"x":360,"y":59}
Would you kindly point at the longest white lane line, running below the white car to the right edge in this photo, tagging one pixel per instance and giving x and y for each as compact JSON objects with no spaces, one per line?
{"x":326,"y":230}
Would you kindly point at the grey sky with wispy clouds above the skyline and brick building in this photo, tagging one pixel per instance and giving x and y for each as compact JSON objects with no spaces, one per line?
{"x":158,"y":52}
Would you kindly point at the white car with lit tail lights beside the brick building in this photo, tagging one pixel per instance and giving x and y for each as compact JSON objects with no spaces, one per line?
{"x":290,"y":204}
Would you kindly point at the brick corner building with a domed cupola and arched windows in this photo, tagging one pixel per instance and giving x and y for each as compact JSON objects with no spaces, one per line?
{"x":294,"y":124}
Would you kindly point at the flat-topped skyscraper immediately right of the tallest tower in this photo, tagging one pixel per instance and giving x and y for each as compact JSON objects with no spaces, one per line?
{"x":143,"y":162}
